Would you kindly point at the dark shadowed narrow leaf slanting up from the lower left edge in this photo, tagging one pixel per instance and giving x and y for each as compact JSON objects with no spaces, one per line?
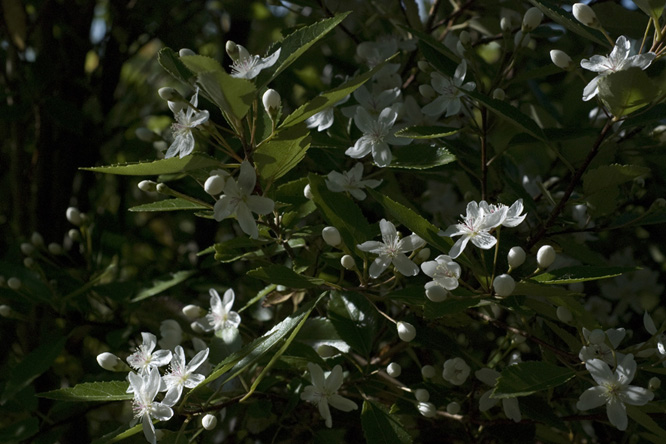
{"x":32,"y":366}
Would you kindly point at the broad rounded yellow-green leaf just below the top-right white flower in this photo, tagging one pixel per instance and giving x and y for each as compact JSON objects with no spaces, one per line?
{"x":626,"y":91}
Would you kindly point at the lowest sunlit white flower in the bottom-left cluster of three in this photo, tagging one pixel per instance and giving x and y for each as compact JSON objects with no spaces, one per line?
{"x":145,"y":408}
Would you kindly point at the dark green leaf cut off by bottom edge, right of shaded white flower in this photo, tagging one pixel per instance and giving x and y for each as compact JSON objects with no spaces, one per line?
{"x":380,"y":427}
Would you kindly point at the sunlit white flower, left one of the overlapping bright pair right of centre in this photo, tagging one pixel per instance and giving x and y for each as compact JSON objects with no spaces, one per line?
{"x":475,"y":226}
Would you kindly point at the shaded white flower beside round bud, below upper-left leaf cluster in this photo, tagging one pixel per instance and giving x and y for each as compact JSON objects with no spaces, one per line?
{"x":239,"y":201}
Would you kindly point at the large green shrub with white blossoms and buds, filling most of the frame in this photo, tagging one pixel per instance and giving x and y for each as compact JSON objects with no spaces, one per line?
{"x":502,"y":288}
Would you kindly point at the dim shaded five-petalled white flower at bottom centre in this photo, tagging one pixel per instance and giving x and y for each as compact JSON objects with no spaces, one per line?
{"x":323,"y":392}
